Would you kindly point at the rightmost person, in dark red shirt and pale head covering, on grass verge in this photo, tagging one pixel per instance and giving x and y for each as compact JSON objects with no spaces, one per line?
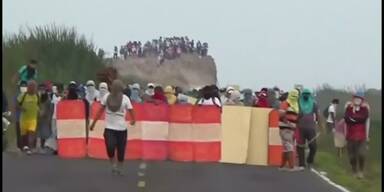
{"x":356,"y":116}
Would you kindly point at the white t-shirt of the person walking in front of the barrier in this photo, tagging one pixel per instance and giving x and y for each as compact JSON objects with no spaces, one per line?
{"x":116,"y":120}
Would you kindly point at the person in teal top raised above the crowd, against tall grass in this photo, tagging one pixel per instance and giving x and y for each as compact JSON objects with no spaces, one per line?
{"x":26,"y":72}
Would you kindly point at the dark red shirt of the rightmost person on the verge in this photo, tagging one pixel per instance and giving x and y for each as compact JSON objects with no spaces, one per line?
{"x":356,"y":123}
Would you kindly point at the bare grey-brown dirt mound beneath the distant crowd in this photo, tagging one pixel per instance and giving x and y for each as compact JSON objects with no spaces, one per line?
{"x":187,"y":71}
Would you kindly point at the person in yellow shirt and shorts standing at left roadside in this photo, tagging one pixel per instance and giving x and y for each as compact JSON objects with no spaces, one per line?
{"x":29,"y":105}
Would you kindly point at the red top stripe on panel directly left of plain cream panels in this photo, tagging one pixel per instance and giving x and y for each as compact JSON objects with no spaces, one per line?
{"x":206,"y":114}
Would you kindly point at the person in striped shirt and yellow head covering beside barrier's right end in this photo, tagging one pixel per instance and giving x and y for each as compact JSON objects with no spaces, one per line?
{"x":289,"y":110}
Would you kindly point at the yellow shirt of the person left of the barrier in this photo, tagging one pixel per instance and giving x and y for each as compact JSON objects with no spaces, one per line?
{"x":29,"y":107}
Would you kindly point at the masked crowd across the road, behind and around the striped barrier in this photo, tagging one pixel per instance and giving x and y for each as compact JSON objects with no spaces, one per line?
{"x":299,"y":114}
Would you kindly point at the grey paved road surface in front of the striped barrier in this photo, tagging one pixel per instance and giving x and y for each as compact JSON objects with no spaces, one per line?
{"x":52,"y":174}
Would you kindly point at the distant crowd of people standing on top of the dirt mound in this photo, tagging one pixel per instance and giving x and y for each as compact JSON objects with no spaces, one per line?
{"x":163,"y":48}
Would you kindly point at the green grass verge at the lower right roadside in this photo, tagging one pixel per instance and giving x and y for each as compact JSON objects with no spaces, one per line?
{"x":339,"y":169}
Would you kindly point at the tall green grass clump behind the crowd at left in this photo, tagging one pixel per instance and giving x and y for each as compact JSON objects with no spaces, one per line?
{"x":63,"y":54}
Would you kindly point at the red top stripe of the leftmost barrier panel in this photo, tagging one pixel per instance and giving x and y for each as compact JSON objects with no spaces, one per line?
{"x":71,"y":109}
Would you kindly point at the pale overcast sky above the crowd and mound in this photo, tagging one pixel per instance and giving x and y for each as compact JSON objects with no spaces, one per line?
{"x":255,"y":43}
